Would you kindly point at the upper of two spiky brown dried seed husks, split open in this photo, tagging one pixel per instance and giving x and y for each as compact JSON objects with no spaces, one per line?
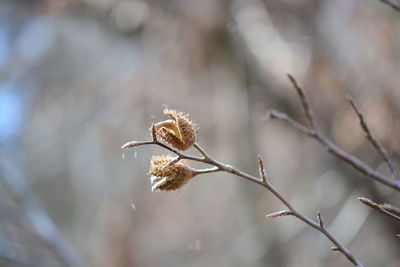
{"x":179,"y":131}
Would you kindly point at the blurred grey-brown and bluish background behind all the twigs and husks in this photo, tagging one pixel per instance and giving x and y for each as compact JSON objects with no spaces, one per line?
{"x":80,"y":78}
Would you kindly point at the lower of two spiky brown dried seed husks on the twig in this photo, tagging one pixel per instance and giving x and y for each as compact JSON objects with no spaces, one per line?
{"x":170,"y":178}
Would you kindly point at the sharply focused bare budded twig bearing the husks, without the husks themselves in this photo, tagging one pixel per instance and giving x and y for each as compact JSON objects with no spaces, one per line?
{"x":218,"y":166}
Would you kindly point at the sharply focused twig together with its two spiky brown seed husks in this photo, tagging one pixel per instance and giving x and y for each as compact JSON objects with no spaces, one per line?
{"x":170,"y":173}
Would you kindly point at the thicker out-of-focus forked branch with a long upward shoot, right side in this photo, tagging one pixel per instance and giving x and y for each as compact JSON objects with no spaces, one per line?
{"x":332,"y":147}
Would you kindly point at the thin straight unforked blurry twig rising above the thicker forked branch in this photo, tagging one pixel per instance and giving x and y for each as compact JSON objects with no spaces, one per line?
{"x":381,"y":150}
